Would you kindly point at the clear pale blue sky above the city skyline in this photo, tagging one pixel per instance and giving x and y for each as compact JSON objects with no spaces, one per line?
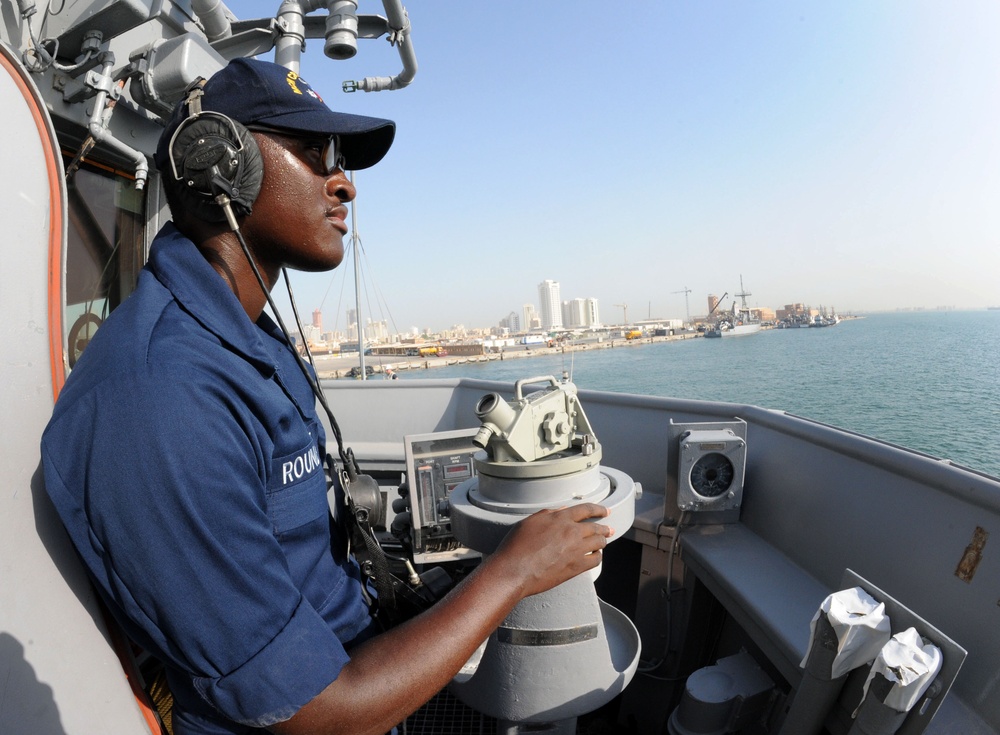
{"x":844,"y":155}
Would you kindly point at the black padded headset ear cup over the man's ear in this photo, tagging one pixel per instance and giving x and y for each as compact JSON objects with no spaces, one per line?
{"x":213,"y":153}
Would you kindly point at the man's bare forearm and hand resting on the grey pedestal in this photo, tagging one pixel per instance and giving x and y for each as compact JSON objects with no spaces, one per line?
{"x":539,"y":553}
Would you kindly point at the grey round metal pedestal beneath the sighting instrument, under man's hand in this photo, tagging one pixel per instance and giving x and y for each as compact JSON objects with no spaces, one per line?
{"x":561,"y":653}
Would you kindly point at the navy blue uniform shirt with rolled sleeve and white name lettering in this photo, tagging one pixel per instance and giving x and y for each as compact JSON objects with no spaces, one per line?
{"x":184,"y":457}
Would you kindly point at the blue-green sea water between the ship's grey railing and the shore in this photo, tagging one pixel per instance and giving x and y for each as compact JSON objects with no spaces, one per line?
{"x":929,"y":381}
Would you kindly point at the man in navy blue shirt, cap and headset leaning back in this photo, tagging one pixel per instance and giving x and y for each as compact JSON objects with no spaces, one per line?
{"x":184,"y":454}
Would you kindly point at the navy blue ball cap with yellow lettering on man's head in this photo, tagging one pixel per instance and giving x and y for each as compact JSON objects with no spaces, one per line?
{"x":251,"y":91}
